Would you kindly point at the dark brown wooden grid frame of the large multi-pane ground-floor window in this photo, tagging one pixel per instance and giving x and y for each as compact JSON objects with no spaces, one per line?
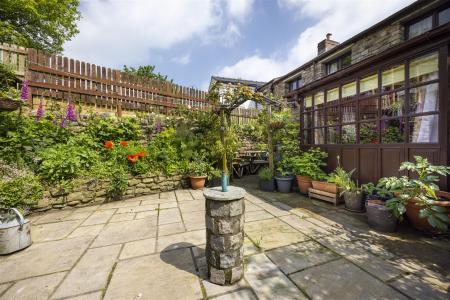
{"x":357,"y":99}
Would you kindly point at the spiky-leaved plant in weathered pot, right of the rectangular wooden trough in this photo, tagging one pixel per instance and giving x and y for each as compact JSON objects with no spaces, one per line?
{"x":353,"y":196}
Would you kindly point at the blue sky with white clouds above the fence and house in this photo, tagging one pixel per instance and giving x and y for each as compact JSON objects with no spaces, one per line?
{"x":191,"y":40}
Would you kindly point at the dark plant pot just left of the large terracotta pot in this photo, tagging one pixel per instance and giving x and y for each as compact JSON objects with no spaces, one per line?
{"x":379,"y":217}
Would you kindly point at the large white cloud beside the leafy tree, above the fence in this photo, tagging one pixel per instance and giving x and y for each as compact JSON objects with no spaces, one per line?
{"x":117,"y":32}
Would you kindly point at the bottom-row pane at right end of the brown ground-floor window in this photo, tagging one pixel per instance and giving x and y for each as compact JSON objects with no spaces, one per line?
{"x":423,"y":129}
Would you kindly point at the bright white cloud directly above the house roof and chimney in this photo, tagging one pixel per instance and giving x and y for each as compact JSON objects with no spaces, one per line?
{"x":343,"y":18}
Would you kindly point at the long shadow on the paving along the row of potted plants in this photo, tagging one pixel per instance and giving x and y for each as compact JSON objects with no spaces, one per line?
{"x":408,"y":244}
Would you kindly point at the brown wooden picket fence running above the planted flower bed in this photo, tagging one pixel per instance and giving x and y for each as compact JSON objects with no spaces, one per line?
{"x":104,"y":89}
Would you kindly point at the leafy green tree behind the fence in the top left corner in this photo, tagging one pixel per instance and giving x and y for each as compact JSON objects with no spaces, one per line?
{"x":41,"y":24}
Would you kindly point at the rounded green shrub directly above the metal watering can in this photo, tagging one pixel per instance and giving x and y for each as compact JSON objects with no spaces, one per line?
{"x":19,"y":188}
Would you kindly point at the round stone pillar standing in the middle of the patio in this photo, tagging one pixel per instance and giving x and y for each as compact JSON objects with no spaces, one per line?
{"x":225,"y":234}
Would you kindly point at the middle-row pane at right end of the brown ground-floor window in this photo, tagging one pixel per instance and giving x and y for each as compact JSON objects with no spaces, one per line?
{"x":424,"y":99}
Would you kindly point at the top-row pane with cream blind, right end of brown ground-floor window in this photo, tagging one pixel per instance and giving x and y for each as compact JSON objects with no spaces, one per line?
{"x":424,"y":68}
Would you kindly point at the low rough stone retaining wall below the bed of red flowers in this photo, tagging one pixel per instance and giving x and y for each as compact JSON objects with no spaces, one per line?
{"x":93,"y":191}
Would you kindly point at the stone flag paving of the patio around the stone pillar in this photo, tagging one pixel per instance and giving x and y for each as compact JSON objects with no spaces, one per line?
{"x":152,"y":247}
